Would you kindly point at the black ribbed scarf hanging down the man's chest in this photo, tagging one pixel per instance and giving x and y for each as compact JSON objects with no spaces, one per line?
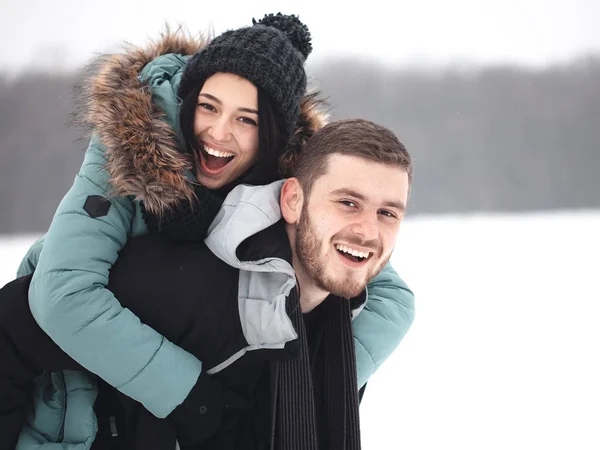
{"x":316,"y":402}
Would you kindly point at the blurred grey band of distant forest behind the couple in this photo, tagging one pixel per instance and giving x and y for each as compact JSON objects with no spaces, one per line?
{"x":490,"y":139}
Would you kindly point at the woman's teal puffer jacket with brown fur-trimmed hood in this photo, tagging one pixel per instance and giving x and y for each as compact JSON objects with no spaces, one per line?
{"x":133,"y":155}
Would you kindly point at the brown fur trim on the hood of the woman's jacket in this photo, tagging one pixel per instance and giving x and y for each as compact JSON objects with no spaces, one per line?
{"x":142,"y":149}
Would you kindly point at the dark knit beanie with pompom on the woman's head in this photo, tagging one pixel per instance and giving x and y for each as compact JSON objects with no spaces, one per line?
{"x":270,"y":54}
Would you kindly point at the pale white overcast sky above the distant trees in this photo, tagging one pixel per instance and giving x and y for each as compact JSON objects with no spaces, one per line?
{"x":66,"y":33}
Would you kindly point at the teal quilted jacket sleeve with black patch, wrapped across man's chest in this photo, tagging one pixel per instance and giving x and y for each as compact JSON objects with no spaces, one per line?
{"x":69,"y":299}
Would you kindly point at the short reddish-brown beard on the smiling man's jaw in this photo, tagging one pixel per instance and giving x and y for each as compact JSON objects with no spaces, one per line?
{"x":314,"y":264}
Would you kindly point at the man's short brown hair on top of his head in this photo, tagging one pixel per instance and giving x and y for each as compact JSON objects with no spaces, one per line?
{"x":352,"y":137}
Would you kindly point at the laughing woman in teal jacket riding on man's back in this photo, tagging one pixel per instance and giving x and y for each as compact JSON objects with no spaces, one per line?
{"x":166,"y":150}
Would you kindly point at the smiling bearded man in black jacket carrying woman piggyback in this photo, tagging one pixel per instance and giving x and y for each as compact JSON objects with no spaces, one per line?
{"x":266,"y":303}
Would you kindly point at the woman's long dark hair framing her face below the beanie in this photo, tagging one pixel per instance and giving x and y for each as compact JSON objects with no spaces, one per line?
{"x":271,"y":139}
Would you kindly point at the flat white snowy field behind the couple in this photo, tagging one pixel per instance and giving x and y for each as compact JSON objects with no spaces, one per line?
{"x":503,"y":353}
